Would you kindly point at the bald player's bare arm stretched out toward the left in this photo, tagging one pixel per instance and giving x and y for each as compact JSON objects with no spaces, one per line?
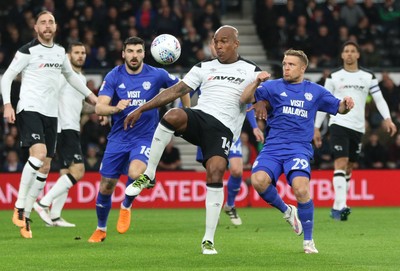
{"x":168,"y":95}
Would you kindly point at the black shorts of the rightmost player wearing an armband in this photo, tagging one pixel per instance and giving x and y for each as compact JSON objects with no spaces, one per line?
{"x":345,"y":142}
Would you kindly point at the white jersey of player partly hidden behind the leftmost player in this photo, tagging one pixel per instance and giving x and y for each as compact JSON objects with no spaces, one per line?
{"x":70,"y":105}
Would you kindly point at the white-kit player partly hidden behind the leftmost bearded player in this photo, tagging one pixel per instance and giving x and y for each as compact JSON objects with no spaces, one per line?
{"x":69,"y":148}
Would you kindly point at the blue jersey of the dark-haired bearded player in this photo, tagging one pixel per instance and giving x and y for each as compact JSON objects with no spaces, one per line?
{"x":140,"y":88}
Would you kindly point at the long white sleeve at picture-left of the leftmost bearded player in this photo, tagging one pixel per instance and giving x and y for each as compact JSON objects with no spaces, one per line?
{"x":19,"y":62}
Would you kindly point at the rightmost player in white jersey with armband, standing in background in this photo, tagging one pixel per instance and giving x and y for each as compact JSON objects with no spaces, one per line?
{"x":346,"y":131}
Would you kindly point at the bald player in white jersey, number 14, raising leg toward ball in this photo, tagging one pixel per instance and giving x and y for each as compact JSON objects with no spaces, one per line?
{"x":213,"y":124}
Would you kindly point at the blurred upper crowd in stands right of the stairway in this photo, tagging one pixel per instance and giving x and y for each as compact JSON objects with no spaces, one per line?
{"x":319,"y":28}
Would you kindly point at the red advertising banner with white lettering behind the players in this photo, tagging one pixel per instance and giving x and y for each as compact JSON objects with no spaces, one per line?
{"x":187,"y":189}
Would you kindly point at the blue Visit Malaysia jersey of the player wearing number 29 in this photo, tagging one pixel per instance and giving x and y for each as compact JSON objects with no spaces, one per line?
{"x":293,"y":109}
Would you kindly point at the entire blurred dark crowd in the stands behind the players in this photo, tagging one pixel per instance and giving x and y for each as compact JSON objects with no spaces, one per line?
{"x":317,"y":27}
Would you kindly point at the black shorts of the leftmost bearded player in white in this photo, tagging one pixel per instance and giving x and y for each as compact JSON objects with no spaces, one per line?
{"x":36,"y":128}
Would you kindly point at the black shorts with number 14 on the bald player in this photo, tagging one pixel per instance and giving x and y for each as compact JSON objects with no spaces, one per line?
{"x":205,"y":131}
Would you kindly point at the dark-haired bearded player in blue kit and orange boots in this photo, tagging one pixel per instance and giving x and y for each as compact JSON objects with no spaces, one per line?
{"x":124,"y":89}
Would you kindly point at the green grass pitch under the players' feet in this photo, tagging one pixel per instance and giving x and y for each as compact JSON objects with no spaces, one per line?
{"x":169,"y":239}
